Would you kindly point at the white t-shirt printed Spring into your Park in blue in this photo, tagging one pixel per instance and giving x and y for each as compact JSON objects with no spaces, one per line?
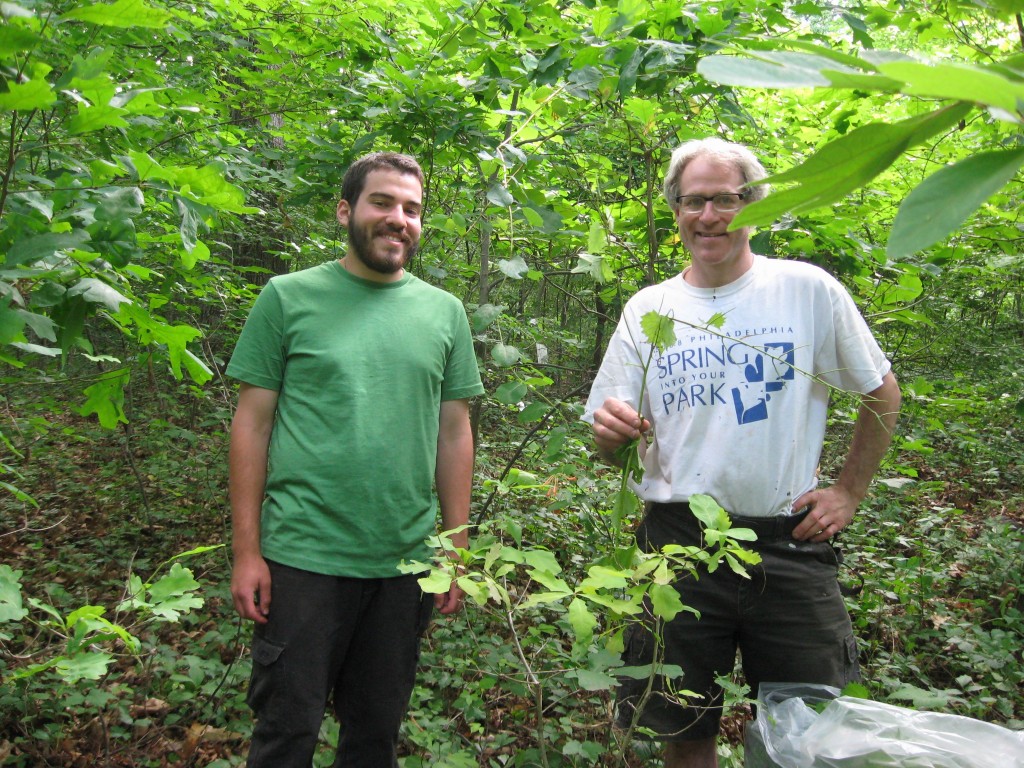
{"x":740,"y":403}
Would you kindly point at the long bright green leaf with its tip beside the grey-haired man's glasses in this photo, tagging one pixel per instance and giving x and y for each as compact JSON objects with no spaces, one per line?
{"x":846,"y":164}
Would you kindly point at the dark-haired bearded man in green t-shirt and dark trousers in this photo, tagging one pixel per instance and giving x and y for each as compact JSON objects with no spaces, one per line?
{"x":353,"y":409}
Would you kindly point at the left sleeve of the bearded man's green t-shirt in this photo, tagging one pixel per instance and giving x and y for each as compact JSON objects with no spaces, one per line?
{"x":260,"y":355}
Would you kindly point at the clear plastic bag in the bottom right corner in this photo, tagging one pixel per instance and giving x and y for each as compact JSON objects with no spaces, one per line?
{"x":813,"y":727}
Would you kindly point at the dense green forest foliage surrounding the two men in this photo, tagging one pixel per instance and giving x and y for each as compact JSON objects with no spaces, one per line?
{"x":162,"y":159}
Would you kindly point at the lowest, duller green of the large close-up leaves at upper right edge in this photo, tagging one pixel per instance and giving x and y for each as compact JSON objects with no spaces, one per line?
{"x":941,"y":204}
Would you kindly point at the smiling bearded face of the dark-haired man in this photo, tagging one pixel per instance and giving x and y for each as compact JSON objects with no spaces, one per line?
{"x":385,"y":226}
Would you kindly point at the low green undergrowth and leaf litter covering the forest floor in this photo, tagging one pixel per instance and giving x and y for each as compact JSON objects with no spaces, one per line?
{"x":937,"y":551}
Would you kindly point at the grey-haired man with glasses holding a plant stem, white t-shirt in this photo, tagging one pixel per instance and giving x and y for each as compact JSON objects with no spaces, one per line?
{"x":737,"y":410}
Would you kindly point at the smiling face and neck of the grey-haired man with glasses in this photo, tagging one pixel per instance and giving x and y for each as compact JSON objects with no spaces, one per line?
{"x":719,"y":257}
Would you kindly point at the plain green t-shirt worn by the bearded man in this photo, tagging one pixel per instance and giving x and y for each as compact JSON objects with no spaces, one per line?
{"x":361,"y":369}
